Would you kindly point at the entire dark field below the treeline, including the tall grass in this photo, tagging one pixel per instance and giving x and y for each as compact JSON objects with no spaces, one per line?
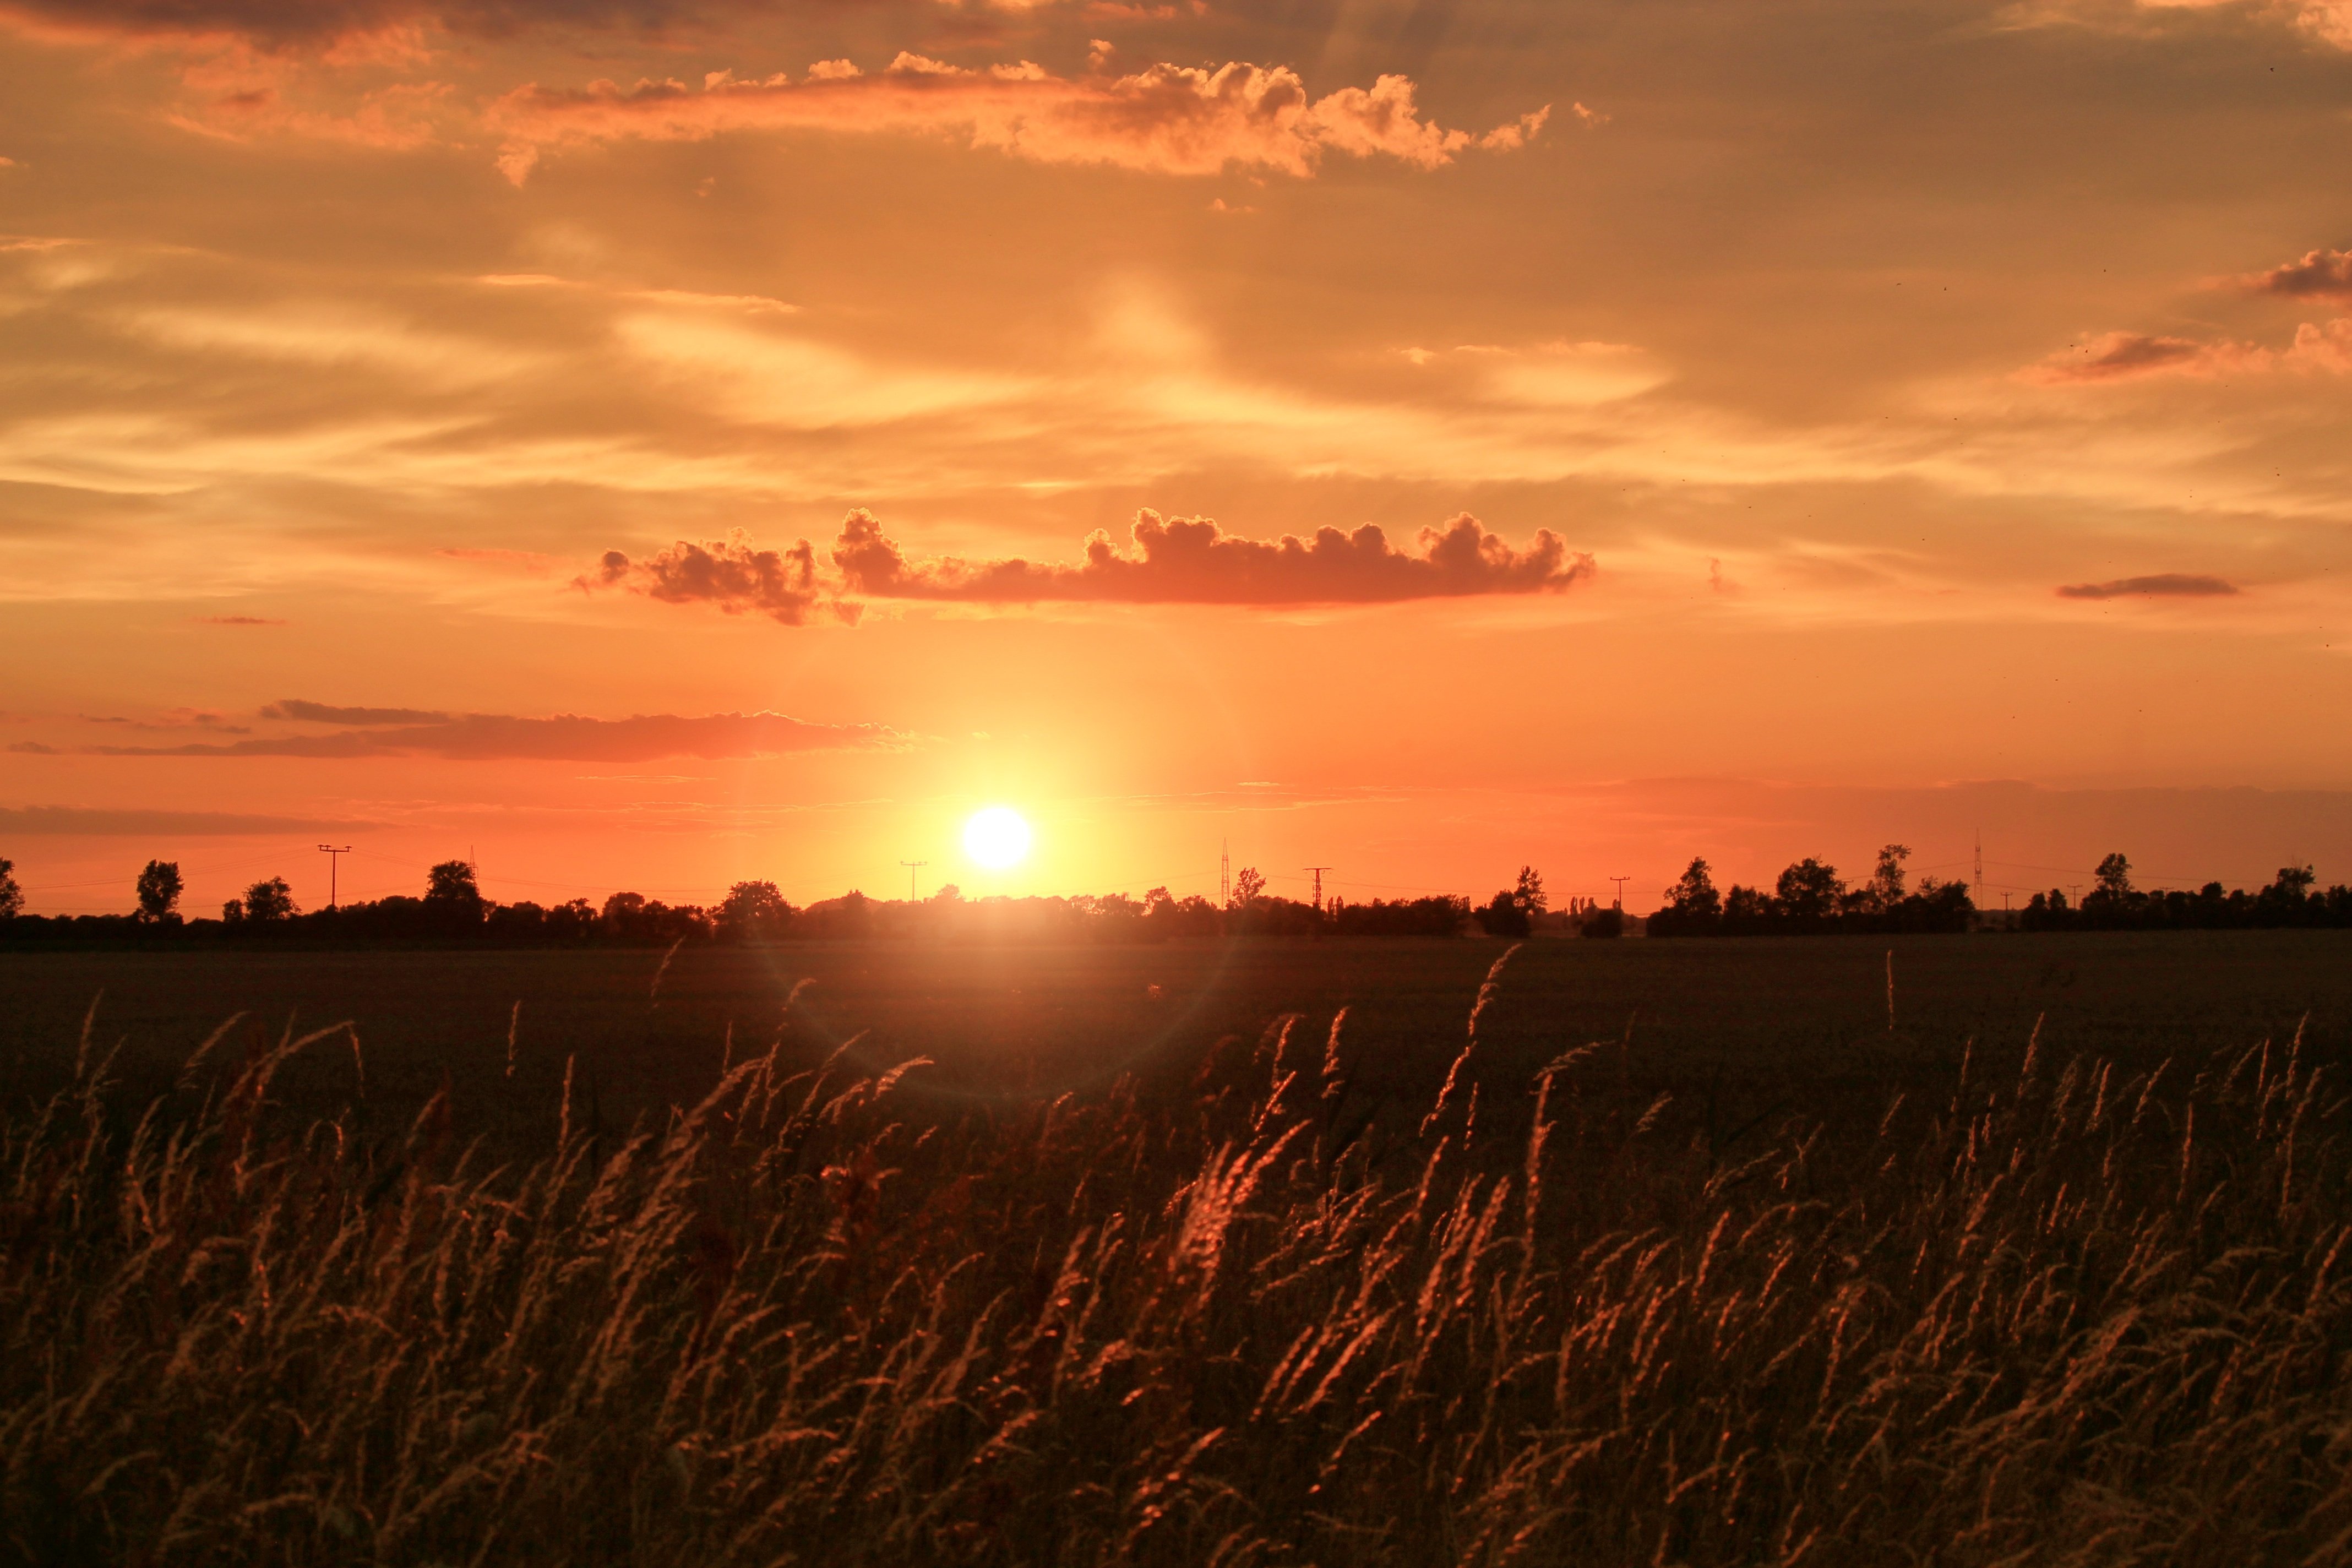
{"x":1622,"y":1252}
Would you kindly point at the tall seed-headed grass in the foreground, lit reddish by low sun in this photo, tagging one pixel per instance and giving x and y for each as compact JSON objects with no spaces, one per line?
{"x":2078,"y":1318}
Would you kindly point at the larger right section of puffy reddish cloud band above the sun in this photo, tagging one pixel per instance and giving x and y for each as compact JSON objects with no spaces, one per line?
{"x":1189,"y":561}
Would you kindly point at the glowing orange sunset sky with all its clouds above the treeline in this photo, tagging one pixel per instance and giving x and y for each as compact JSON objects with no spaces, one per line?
{"x":653,"y":443}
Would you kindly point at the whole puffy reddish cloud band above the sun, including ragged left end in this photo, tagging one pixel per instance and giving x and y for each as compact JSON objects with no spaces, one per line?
{"x":1168,"y":561}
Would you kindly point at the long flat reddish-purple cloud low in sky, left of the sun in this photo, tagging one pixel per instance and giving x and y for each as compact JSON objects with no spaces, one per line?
{"x":490,"y":737}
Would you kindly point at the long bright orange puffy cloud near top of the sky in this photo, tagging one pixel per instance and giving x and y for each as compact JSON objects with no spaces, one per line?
{"x":1163,"y":121}
